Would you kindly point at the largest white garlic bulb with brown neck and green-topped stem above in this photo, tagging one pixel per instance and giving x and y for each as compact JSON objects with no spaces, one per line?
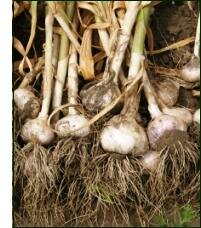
{"x":122,"y":134}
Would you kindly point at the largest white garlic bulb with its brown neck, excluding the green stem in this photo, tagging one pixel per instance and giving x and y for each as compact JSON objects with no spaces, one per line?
{"x":122,"y":134}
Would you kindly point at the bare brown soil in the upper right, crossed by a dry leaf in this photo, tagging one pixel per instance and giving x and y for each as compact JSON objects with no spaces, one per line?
{"x":172,"y":23}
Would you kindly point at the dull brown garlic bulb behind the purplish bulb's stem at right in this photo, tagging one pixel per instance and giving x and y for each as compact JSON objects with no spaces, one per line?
{"x":167,"y":91}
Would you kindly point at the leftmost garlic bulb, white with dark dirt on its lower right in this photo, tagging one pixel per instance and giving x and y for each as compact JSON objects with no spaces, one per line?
{"x":28,"y":104}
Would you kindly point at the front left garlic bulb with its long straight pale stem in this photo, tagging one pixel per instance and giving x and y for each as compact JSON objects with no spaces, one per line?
{"x":37,"y":130}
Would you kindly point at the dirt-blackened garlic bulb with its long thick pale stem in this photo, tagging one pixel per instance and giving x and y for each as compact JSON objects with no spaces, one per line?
{"x":98,"y":96}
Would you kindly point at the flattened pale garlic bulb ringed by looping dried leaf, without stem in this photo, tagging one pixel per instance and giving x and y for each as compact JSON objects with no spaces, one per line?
{"x":73,"y":122}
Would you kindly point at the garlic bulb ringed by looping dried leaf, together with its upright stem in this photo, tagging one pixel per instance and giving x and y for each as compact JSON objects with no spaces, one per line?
{"x":73,"y":120}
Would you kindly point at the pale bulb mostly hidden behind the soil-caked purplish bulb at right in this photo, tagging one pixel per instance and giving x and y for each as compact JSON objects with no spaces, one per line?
{"x":180,"y":113}
